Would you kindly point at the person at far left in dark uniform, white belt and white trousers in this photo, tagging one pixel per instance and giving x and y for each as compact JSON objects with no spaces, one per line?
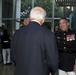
{"x":5,"y":41}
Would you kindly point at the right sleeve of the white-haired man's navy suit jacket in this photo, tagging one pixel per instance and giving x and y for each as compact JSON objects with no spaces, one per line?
{"x":51,"y":52}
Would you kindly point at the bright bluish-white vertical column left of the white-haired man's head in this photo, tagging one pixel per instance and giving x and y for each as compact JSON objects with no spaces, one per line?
{"x":18,"y":9}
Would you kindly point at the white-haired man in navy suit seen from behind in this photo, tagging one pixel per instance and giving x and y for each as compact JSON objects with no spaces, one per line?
{"x":33,"y":47}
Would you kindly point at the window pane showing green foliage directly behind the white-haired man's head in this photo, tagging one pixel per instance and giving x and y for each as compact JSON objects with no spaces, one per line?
{"x":46,"y":4}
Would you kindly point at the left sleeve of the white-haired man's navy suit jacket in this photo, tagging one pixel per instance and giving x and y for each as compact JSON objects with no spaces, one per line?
{"x":13,"y":48}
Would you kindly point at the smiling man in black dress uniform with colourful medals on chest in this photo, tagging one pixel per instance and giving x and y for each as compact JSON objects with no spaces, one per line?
{"x":66,"y":41}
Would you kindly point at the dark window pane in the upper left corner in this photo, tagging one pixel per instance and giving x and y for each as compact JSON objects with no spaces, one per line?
{"x":7,"y":8}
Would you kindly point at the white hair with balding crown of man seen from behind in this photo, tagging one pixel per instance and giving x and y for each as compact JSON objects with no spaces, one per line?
{"x":38,"y":13}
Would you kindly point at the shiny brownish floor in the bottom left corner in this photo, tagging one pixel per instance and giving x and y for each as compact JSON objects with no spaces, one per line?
{"x":6,"y":69}
